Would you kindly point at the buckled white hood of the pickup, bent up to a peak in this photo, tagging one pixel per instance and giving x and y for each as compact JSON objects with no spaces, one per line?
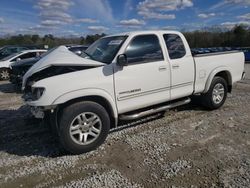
{"x":61,"y":56}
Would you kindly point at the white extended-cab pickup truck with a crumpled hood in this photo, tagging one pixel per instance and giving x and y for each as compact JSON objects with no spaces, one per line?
{"x":124,"y":77}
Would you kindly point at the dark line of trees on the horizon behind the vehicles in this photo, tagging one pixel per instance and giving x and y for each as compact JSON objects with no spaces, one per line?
{"x":239,"y":36}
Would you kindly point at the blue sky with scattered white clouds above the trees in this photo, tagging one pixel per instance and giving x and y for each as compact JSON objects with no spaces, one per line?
{"x":82,"y":17}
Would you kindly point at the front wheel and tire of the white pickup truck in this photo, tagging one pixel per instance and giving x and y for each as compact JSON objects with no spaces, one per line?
{"x":81,"y":119}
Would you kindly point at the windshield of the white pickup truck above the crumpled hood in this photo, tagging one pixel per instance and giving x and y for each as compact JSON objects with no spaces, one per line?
{"x":104,"y":49}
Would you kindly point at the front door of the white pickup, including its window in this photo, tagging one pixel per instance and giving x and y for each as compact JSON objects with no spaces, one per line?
{"x":145,"y":80}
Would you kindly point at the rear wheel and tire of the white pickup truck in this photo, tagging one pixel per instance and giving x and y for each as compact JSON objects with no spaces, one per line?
{"x":216,"y":95}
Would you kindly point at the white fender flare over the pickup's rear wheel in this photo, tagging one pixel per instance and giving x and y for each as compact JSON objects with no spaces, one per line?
{"x":212,"y":75}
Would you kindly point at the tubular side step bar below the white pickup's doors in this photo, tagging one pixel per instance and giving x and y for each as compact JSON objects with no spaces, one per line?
{"x":154,"y":110}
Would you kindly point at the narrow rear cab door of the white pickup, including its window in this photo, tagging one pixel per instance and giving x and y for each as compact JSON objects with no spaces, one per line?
{"x":181,"y":64}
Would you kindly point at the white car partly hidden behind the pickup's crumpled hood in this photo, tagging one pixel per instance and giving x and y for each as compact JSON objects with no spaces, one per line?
{"x":5,"y":62}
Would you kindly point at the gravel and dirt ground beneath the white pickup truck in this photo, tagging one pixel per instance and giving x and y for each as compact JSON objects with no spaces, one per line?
{"x":188,"y":147}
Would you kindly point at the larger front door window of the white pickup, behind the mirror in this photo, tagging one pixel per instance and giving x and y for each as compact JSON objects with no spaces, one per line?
{"x":144,"y":49}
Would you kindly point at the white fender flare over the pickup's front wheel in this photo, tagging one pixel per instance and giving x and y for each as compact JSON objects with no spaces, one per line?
{"x":88,"y":92}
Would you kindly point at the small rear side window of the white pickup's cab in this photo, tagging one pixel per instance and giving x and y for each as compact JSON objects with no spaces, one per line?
{"x":175,"y":46}
